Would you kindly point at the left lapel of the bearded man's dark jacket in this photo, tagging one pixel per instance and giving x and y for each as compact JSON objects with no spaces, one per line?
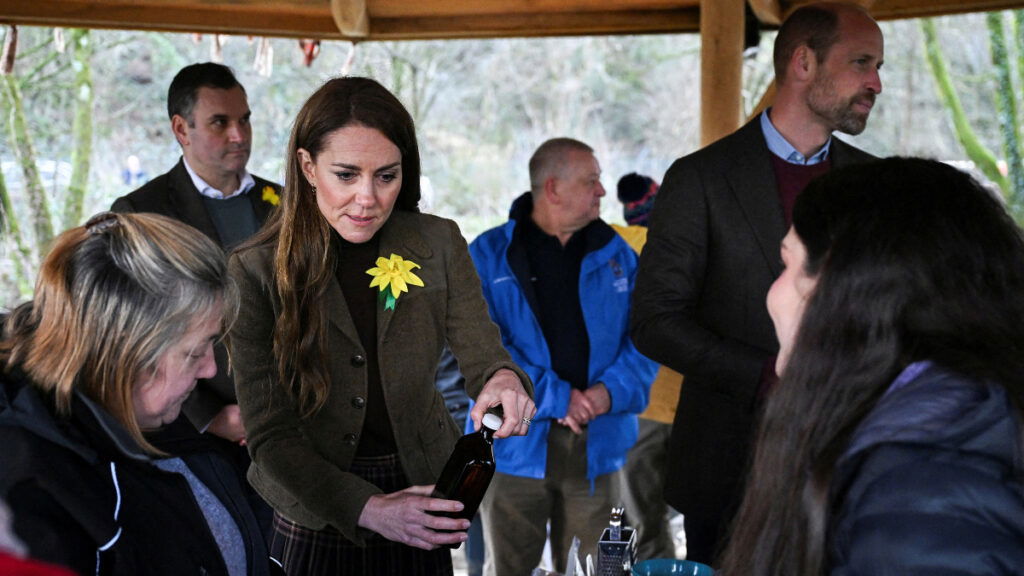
{"x":757,"y":192}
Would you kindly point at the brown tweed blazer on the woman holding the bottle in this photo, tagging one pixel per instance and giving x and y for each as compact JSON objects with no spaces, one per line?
{"x":301,"y":467}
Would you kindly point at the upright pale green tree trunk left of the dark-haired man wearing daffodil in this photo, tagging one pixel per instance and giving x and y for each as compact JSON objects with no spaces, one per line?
{"x":81,"y":129}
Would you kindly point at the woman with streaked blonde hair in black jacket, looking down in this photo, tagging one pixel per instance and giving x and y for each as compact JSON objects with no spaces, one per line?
{"x":101,"y":473}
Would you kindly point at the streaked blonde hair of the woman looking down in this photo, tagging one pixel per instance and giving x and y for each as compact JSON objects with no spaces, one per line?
{"x":111,"y":299}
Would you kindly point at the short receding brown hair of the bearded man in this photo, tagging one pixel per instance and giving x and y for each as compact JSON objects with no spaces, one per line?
{"x":816,"y":26}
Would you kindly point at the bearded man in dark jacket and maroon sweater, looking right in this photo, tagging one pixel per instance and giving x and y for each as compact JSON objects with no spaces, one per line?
{"x":713,"y":252}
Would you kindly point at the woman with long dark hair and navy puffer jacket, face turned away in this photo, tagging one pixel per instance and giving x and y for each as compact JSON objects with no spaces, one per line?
{"x":892,"y":444}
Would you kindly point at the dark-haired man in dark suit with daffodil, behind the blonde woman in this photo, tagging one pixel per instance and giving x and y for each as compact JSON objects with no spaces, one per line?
{"x":210,"y":190}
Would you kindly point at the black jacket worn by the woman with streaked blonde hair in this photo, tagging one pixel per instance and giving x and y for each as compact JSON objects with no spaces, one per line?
{"x":86,"y":497}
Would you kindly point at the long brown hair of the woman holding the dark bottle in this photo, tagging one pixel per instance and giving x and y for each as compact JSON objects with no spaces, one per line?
{"x":305,"y":260}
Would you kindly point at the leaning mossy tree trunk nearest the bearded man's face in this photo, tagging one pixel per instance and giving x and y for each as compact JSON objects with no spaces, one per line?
{"x":965,"y":134}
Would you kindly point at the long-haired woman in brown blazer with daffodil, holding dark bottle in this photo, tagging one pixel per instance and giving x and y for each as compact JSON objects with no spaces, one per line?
{"x":349,"y":297}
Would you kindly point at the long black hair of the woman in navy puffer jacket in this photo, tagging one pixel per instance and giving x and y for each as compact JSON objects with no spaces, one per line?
{"x":914,"y":261}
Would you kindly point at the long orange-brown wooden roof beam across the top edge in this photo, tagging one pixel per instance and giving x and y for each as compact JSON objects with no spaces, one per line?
{"x":314,"y":19}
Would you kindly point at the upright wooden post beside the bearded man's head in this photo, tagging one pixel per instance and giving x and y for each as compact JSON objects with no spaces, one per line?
{"x":721,"y":68}
